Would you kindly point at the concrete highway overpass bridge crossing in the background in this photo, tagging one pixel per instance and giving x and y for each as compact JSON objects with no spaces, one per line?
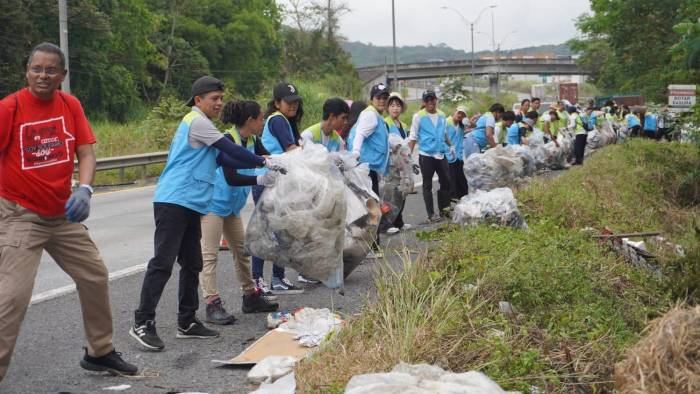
{"x":507,"y":66}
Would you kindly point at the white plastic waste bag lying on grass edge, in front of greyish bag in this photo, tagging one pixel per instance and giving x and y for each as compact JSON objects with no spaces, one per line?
{"x":497,"y":206}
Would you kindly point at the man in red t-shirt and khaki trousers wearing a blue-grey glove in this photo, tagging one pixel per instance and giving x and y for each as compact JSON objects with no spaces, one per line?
{"x":41,"y":131}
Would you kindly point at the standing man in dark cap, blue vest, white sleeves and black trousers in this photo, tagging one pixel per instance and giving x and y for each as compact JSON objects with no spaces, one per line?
{"x":429,"y":130}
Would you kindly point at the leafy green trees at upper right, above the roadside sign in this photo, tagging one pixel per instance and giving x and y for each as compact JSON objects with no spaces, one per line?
{"x":637,"y":46}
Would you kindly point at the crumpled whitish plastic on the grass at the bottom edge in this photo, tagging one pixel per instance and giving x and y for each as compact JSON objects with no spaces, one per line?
{"x":422,"y":379}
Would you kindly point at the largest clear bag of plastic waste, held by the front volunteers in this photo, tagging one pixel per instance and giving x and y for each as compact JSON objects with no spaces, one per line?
{"x":300,"y":221}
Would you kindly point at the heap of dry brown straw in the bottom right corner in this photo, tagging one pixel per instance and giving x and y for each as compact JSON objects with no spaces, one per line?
{"x":665,"y":360}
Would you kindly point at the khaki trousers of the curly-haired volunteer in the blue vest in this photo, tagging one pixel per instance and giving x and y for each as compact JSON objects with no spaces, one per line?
{"x":231,"y":227}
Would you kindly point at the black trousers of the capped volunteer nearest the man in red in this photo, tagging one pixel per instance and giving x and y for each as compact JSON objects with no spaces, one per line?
{"x":178,"y":233}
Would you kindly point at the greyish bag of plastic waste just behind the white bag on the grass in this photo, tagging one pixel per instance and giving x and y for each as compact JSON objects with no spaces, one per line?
{"x":497,"y":167}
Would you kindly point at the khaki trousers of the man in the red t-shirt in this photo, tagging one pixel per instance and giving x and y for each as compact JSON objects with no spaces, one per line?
{"x":23,"y":237}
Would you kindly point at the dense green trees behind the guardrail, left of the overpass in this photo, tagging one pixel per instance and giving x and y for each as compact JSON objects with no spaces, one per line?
{"x":124,"y":53}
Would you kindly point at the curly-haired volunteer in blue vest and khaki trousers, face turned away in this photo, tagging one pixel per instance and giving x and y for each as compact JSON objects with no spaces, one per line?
{"x":231,"y":190}
